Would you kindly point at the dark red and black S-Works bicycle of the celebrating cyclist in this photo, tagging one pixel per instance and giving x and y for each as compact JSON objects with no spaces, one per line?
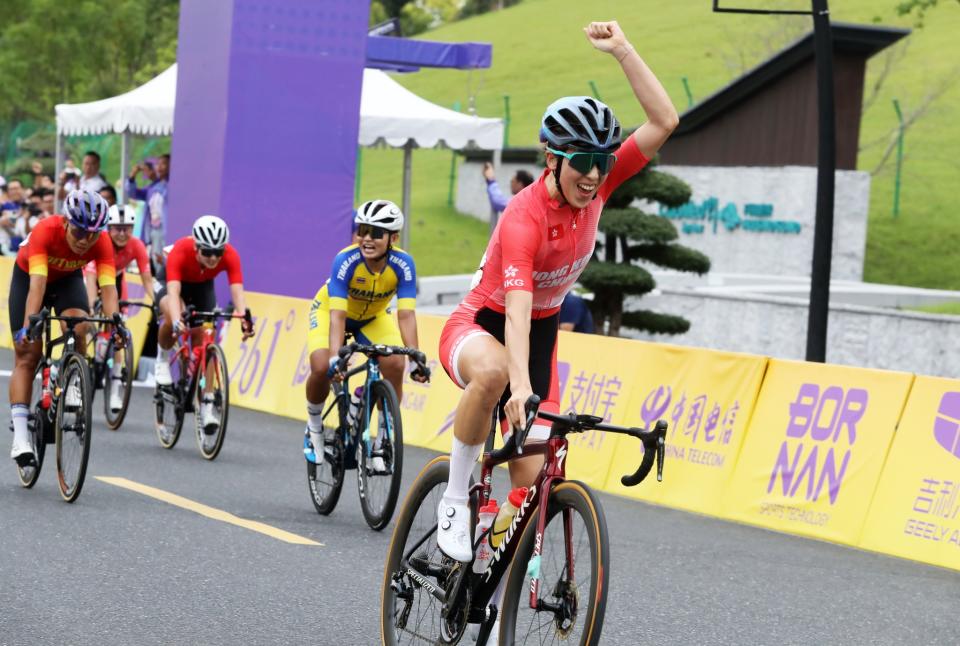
{"x":555,"y":552}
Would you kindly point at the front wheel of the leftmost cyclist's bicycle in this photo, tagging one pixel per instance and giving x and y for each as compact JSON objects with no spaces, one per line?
{"x":74,"y":425}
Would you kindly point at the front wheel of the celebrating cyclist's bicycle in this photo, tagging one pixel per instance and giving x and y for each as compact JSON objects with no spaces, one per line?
{"x":572,"y":594}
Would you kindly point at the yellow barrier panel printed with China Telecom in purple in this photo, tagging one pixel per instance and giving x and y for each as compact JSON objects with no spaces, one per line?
{"x":707,"y":399}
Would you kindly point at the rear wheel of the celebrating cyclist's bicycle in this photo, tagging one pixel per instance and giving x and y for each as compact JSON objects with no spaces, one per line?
{"x":409,"y":613}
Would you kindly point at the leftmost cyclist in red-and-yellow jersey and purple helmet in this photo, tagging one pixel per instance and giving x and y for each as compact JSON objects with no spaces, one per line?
{"x":49,"y":273}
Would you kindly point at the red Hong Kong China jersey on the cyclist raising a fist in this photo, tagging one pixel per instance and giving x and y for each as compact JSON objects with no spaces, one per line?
{"x":541,"y":246}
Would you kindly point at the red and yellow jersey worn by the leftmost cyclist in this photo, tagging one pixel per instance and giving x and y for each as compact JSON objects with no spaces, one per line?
{"x":46,"y":252}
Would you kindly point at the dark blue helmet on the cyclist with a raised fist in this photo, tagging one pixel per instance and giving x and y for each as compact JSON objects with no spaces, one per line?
{"x":581,"y":122}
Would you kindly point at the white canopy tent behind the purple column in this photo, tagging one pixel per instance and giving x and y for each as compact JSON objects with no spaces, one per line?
{"x":389,"y":113}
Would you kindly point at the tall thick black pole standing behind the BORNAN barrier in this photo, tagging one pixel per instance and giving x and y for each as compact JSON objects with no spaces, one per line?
{"x":826,"y":167}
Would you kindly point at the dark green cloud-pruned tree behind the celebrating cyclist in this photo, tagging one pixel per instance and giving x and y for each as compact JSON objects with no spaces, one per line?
{"x":639,"y":236}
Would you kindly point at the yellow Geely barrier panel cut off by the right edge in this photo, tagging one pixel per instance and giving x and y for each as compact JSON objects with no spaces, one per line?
{"x":916,"y":507}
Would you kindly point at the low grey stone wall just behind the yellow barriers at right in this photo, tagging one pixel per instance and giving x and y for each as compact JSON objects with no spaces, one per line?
{"x":857,"y":336}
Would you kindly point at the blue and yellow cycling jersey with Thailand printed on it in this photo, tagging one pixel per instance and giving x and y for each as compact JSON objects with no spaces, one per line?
{"x":364,"y":293}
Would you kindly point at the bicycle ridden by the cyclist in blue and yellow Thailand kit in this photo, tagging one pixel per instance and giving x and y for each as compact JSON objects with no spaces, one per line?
{"x":368,"y":437}
